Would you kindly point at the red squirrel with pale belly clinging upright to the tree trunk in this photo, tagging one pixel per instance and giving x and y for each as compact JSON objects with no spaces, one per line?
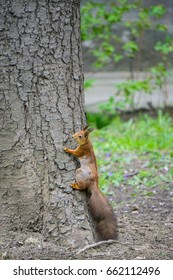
{"x":87,"y":179}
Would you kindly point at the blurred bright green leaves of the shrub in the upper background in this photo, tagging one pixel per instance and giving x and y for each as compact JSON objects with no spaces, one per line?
{"x":100,"y":22}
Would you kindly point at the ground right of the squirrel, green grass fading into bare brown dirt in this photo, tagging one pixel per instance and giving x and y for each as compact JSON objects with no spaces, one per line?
{"x":135,"y":160}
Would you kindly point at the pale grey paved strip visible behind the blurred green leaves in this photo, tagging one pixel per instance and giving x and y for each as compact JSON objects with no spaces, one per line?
{"x":104,"y":87}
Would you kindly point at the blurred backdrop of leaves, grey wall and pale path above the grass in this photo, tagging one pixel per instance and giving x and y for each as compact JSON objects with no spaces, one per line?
{"x":128,"y":55}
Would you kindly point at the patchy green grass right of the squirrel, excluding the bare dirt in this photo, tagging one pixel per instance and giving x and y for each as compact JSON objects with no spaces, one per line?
{"x":143,"y":143}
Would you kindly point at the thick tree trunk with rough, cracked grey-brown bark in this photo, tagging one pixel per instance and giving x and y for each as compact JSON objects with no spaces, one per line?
{"x":41,"y":104}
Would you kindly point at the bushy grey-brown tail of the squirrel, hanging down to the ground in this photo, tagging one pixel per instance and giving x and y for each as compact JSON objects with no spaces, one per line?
{"x":103,"y":216}
